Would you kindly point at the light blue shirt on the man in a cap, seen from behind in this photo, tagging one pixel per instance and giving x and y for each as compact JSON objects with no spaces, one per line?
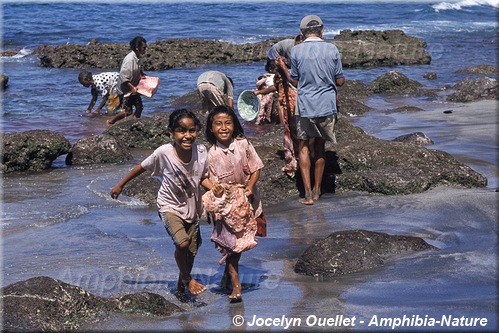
{"x":316,"y":64}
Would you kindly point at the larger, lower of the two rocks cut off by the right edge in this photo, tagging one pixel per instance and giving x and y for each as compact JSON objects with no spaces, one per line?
{"x":469,"y":90}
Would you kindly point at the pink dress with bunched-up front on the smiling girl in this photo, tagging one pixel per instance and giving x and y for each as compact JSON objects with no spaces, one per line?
{"x":235,"y":225}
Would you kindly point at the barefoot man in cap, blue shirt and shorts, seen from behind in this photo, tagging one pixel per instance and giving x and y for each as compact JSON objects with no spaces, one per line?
{"x":316,"y":71}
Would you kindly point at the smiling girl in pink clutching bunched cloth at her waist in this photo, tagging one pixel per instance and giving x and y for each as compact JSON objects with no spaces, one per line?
{"x":238,"y":212}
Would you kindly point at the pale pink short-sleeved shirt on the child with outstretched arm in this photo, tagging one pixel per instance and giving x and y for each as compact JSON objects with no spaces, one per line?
{"x":180,"y":191}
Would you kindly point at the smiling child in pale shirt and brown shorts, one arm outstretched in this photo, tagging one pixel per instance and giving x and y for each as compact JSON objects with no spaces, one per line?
{"x":183,"y":166}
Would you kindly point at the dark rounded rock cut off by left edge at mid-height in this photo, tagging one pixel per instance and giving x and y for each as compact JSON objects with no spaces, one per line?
{"x":32,"y":150}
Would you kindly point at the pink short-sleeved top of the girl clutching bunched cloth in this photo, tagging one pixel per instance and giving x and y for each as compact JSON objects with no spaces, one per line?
{"x":234,"y":165}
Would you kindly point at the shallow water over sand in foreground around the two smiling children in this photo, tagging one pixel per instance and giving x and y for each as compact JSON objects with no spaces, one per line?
{"x":114,"y":247}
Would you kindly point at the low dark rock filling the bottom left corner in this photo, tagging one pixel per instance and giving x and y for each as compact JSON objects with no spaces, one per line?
{"x":45,"y":304}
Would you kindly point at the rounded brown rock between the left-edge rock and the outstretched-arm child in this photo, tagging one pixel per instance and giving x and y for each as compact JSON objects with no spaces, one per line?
{"x":98,"y":149}
